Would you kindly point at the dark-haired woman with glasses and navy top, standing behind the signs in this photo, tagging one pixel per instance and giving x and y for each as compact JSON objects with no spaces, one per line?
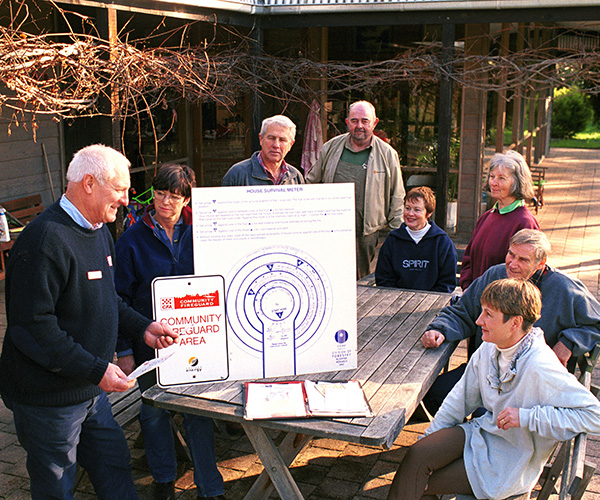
{"x":160,"y":244}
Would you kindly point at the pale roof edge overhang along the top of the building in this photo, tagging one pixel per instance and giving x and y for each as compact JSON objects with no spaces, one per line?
{"x":306,"y":13}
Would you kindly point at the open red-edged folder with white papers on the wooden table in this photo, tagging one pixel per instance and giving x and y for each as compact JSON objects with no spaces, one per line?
{"x":304,"y":398}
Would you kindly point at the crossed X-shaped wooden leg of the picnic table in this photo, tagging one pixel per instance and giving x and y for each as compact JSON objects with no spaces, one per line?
{"x":275,"y":461}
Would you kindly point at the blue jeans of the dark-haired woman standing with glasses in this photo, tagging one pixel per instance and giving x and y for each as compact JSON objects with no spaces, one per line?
{"x":160,"y":449}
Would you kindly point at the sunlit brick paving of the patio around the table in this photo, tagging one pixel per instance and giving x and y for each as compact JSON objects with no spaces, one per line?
{"x":329,"y":469}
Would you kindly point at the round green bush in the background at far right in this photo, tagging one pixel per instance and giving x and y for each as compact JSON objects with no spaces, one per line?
{"x":571,"y":112}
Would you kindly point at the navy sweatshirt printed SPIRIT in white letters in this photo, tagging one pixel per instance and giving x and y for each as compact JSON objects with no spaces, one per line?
{"x":427,"y":265}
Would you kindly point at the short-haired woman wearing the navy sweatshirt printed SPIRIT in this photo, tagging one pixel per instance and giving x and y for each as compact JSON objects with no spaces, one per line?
{"x":418,"y":255}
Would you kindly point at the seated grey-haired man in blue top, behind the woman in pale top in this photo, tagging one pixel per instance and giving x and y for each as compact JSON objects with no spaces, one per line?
{"x":570,"y":314}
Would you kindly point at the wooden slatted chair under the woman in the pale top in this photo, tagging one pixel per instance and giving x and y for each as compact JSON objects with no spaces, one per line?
{"x":569,"y":457}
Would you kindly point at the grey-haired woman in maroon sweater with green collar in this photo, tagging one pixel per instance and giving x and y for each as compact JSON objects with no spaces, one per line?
{"x":509,"y":182}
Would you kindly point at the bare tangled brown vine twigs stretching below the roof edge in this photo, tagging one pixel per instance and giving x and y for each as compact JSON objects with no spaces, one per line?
{"x":41,"y":75}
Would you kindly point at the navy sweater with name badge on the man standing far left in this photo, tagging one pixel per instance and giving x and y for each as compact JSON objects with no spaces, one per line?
{"x":63,"y":312}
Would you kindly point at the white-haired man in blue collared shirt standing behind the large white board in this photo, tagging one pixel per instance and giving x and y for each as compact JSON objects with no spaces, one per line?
{"x":267,"y":167}
